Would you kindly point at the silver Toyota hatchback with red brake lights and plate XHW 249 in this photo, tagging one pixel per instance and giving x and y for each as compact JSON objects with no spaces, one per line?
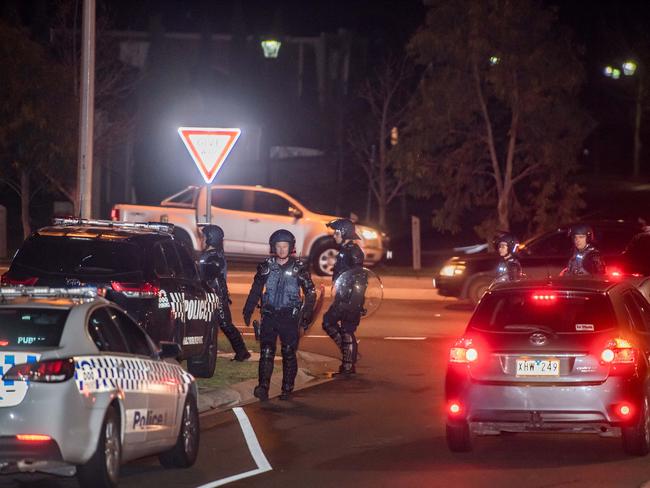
{"x":563,"y":355}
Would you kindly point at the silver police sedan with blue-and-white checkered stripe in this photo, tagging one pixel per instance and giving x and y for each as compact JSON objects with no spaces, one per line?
{"x":85,"y":389}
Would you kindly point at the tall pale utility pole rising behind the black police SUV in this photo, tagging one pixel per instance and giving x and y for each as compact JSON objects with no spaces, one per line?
{"x":86,"y":113}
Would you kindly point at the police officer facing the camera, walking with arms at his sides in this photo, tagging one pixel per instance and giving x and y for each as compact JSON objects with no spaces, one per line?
{"x":277,"y":283}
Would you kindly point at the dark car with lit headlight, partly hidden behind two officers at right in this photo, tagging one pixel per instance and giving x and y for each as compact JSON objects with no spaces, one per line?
{"x":468,"y":276}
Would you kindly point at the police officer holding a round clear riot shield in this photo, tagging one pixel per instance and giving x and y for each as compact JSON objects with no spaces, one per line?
{"x":341,"y":320}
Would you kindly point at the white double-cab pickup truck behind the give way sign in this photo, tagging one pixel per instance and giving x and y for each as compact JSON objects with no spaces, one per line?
{"x":248,"y":216}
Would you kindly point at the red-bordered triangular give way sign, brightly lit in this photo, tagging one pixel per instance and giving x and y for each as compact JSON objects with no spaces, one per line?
{"x":209,"y":147}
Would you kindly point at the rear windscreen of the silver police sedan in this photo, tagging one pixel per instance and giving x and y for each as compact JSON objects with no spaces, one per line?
{"x":31,"y":327}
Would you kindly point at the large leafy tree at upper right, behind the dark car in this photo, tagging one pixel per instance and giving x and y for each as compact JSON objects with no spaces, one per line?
{"x":496,"y":125}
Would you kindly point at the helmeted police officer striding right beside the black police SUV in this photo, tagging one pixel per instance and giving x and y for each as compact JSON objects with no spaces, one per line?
{"x":214,"y":268}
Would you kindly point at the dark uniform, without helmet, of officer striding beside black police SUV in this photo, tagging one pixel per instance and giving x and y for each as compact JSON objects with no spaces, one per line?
{"x":214,"y":268}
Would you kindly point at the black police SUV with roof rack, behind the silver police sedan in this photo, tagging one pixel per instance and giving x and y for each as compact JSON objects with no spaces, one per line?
{"x":141,"y":267}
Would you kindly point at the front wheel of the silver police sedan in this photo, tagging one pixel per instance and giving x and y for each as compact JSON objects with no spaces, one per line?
{"x":186,"y":449}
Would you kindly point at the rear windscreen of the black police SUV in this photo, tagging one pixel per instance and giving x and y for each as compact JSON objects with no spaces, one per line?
{"x":78,"y":256}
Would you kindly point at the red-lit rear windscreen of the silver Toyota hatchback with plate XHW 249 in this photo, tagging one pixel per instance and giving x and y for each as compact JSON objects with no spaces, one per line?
{"x":559,"y":311}
